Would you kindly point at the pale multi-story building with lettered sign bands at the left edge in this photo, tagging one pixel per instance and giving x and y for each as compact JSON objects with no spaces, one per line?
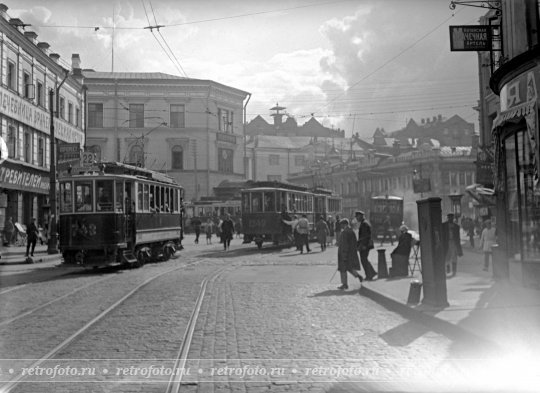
{"x":28,"y":72}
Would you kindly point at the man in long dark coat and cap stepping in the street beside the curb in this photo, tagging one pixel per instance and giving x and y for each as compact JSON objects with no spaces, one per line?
{"x":347,"y":254}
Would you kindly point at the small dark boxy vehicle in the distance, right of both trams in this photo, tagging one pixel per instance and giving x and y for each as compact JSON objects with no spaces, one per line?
{"x":386,"y":206}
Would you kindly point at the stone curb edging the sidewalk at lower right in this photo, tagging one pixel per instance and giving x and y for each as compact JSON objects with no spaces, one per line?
{"x":437,"y":324}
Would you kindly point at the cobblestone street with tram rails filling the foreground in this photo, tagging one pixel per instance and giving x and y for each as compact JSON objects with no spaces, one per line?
{"x":213,"y":321}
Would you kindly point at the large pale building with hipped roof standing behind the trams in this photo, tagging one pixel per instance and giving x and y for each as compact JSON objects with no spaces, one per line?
{"x":191,"y":129}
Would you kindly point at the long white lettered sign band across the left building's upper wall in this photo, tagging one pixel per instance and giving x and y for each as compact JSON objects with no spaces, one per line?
{"x":26,"y":112}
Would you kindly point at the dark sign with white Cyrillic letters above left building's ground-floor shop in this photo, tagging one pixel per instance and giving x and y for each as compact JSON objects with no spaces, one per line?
{"x":18,"y":177}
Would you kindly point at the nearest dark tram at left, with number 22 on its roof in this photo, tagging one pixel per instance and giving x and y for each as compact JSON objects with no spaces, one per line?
{"x":119,"y":214}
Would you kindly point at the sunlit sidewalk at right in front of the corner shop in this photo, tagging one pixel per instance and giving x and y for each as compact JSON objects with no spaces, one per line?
{"x":502,"y":312}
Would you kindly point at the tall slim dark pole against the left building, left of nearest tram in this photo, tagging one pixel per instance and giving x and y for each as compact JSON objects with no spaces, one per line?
{"x":52,"y":246}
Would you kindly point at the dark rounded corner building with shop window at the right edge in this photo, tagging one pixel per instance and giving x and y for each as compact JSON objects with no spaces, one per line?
{"x":516,"y":137}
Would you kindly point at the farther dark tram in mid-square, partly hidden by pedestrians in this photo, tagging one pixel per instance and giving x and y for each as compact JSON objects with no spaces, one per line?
{"x":266,"y":204}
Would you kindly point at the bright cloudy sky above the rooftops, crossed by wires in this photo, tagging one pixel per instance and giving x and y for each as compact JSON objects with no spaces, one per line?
{"x":353,"y":65}
